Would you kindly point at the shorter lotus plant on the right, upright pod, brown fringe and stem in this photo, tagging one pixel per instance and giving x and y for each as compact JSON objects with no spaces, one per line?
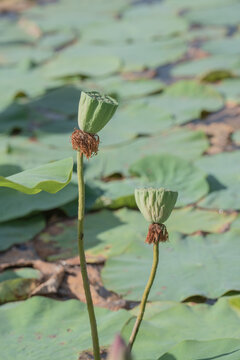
{"x":156,"y":206}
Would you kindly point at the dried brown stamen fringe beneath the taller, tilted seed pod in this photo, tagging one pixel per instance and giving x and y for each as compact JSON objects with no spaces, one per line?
{"x":85,"y":143}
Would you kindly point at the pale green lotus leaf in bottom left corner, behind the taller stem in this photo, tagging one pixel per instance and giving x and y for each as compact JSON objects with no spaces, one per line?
{"x":57,"y":333}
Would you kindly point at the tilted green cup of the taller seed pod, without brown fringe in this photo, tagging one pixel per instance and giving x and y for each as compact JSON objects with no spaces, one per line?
{"x":95,"y":111}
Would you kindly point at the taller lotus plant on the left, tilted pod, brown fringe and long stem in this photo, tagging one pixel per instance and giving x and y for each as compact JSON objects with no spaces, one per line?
{"x":94,"y":113}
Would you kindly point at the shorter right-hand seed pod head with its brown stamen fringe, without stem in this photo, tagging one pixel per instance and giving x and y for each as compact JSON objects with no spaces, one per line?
{"x":156,"y":206}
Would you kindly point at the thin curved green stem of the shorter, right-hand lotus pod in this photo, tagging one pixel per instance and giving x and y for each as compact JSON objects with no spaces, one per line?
{"x":145,"y":296}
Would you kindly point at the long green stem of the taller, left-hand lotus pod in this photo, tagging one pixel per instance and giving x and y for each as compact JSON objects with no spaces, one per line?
{"x":81,"y":208}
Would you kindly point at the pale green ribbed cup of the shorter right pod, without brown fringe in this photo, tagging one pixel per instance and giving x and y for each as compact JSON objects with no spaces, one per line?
{"x":156,"y":205}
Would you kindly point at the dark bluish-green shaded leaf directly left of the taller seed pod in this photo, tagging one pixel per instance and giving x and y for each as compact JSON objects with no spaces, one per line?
{"x":49,"y":112}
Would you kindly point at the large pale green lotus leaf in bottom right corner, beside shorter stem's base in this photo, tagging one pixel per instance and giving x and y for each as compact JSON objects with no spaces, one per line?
{"x":204,"y":325}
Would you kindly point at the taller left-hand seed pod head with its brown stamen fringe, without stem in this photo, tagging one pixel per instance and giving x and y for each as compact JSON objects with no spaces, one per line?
{"x":94,"y":112}
